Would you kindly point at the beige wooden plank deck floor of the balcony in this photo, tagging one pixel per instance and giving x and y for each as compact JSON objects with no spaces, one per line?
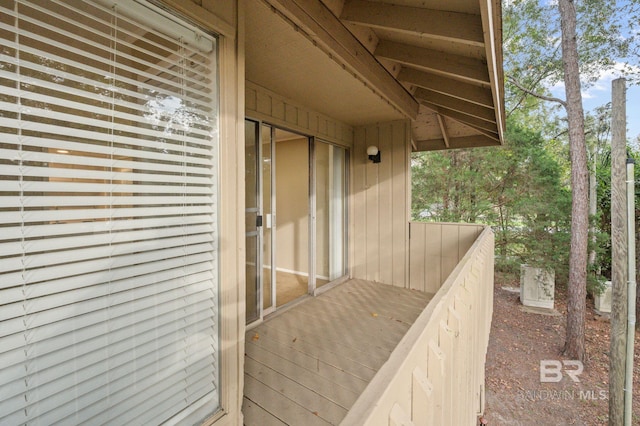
{"x":309,"y":364}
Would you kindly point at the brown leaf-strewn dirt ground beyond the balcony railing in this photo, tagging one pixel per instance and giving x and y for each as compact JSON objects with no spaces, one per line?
{"x":520,"y":339}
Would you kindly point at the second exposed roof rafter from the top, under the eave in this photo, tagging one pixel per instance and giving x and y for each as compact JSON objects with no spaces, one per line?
{"x":447,"y":64}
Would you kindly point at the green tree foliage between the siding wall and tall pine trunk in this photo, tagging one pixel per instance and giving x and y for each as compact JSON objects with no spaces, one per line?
{"x":517,"y":189}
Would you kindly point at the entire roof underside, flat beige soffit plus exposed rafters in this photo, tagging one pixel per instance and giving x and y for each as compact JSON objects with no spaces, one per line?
{"x":436,"y":62}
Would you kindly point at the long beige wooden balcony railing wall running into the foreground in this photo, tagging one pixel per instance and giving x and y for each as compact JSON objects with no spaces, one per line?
{"x":435,"y":375}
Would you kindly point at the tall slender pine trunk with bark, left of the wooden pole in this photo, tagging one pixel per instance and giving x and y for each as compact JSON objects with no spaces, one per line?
{"x":576,"y":303}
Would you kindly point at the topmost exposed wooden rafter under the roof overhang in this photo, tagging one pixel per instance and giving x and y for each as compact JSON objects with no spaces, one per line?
{"x":443,"y":25}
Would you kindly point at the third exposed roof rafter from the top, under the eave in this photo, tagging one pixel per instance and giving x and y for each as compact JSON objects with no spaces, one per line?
{"x":447,"y":86}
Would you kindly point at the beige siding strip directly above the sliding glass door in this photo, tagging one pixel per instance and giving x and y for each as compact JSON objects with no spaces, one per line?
{"x":263,"y":104}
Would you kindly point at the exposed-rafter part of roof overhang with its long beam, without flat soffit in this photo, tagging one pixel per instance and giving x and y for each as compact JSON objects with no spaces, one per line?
{"x":438,"y":62}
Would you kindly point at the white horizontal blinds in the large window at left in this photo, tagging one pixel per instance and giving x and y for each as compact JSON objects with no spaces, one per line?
{"x":108,"y":235}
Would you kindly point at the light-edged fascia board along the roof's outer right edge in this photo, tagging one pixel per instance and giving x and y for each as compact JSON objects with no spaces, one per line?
{"x":491,"y":11}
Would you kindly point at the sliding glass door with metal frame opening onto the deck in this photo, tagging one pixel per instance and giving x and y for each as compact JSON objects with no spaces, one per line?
{"x":302,"y":247}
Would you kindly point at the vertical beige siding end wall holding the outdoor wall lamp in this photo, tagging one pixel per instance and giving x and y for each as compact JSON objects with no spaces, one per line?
{"x":380,"y":207}
